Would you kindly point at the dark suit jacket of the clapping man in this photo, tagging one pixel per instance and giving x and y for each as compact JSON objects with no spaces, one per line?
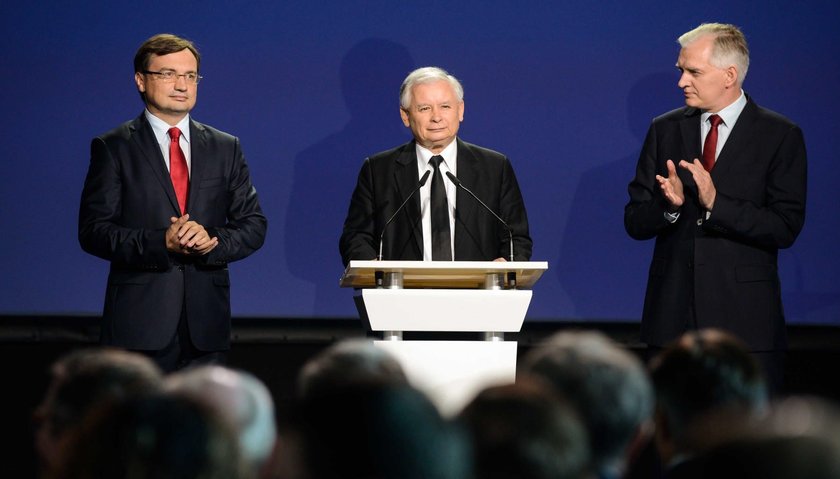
{"x":722,"y":271}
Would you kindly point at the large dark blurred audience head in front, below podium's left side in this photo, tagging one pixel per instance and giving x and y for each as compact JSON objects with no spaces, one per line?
{"x":378,"y":431}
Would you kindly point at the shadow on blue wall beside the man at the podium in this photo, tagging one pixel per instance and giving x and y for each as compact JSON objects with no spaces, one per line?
{"x":371,"y":74}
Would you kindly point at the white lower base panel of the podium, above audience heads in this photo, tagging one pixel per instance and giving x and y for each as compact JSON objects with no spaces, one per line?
{"x":451,"y":373}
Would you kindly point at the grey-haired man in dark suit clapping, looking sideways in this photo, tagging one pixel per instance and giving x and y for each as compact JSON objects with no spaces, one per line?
{"x":718,"y":223}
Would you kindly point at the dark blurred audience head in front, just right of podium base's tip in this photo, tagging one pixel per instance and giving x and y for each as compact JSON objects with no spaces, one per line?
{"x":525,"y":431}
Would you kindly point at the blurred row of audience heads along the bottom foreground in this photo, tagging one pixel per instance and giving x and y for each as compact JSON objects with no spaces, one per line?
{"x":582,"y":407}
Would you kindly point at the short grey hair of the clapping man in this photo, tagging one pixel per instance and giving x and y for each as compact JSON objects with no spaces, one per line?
{"x":730,"y":46}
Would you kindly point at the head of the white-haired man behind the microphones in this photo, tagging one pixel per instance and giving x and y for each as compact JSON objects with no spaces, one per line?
{"x":432,"y":106}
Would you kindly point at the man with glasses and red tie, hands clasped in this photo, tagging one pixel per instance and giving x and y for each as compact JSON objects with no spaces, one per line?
{"x":169,"y":202}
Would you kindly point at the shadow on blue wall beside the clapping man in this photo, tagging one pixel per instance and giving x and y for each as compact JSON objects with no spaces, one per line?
{"x":600,"y":266}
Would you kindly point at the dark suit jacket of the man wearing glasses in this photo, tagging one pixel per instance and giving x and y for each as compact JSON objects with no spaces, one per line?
{"x":126,"y":204}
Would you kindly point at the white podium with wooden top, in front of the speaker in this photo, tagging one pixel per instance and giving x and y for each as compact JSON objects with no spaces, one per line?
{"x":485,"y":297}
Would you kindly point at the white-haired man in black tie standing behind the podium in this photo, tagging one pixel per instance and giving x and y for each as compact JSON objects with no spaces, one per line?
{"x":432,"y":106}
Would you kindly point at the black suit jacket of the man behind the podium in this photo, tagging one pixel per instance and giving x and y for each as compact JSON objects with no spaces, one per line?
{"x":388,"y":178}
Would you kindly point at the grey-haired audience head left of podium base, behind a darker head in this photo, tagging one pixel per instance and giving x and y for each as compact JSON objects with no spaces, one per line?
{"x":348,"y":362}
